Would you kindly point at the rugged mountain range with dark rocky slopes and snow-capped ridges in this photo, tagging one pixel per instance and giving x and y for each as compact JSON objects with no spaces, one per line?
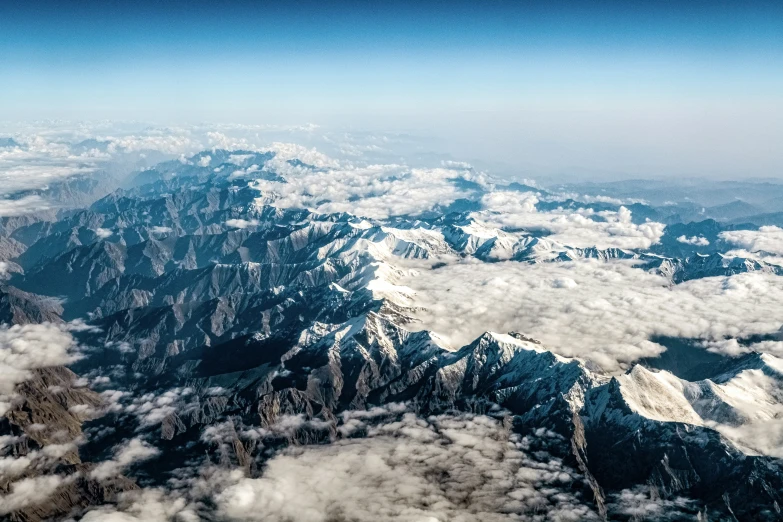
{"x":213,"y":329}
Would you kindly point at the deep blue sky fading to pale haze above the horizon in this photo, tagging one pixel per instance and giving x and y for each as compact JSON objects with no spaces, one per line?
{"x":625,"y":89}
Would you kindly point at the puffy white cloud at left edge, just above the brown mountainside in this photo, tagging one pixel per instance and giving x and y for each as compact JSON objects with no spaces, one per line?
{"x":27,"y":347}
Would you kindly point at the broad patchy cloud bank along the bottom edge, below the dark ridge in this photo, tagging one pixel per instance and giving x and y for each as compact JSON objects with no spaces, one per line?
{"x":407,"y":468}
